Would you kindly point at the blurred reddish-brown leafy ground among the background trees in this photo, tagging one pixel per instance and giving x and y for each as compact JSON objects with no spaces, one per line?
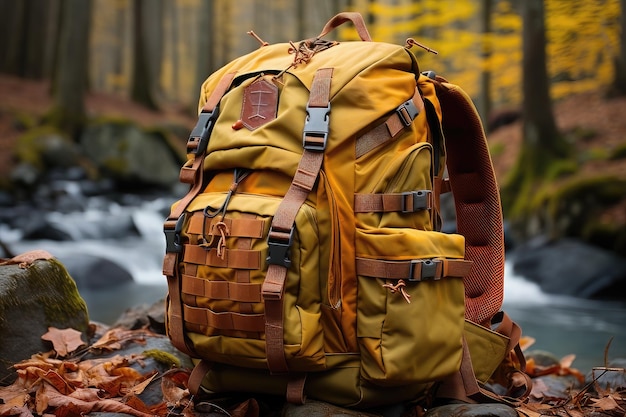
{"x":595,"y":125}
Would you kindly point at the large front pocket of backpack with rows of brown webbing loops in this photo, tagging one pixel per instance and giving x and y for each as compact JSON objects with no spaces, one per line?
{"x":223,"y":269}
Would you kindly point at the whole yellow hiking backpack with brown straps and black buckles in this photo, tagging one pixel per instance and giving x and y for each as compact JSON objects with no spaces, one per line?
{"x":306,"y":258}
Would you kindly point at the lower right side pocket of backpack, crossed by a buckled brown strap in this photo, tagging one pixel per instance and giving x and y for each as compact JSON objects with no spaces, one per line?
{"x":410,"y":311}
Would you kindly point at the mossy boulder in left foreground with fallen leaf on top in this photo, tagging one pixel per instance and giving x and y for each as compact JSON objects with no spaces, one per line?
{"x":36,"y":292}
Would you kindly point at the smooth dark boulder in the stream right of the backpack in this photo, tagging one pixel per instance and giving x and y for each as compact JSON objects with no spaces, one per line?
{"x":572,"y":268}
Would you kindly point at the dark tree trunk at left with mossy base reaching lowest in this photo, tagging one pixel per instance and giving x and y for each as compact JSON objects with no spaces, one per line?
{"x":71,"y":73}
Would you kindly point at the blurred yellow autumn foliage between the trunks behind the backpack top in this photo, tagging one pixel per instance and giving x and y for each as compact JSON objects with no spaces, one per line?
{"x":582,"y":40}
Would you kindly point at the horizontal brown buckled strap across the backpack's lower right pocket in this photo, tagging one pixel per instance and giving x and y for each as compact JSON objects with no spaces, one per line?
{"x":414,"y":270}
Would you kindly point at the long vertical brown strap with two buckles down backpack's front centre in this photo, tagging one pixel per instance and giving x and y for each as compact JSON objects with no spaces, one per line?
{"x":282,"y":225}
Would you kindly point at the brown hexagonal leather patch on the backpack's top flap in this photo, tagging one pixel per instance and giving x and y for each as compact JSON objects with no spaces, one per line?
{"x":260,"y":104}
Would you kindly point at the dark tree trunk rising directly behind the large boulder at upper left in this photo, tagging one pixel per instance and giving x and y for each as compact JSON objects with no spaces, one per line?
{"x":148,"y":41}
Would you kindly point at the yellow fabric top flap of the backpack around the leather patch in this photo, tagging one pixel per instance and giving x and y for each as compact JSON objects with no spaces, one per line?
{"x":359,"y":69}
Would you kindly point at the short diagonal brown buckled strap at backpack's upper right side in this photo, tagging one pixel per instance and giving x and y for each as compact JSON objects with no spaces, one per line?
{"x":387,"y":131}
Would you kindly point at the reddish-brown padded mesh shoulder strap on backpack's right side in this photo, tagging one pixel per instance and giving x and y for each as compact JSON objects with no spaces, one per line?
{"x":477,"y":200}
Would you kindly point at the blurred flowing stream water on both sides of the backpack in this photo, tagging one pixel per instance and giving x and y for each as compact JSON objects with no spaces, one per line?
{"x":559,"y":325}
